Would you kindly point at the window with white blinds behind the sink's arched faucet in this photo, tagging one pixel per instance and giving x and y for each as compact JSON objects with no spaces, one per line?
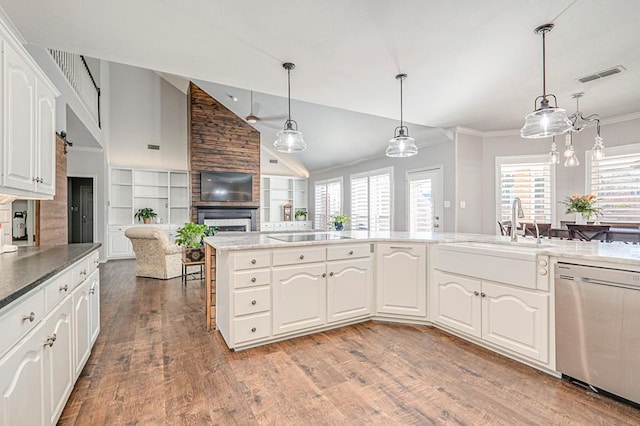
{"x":529,"y":178}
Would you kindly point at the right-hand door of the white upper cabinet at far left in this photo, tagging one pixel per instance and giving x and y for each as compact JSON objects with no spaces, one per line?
{"x":45,"y":139}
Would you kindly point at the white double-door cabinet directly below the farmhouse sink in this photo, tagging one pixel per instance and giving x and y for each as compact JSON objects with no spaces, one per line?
{"x":512,"y":318}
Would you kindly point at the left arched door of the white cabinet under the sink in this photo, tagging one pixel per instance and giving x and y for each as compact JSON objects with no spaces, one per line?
{"x":455,"y":302}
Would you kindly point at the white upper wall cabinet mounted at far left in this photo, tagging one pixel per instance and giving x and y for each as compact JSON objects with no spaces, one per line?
{"x":28,"y":124}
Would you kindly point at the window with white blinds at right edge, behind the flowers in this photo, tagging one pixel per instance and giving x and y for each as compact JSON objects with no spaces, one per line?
{"x":615,"y":181}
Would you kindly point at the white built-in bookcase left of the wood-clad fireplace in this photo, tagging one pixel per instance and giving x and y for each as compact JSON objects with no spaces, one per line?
{"x":165,"y":191}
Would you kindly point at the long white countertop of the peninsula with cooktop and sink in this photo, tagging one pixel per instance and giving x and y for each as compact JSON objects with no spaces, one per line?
{"x":617,"y":252}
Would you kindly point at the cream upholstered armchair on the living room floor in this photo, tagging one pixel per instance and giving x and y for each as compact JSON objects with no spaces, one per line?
{"x":156,"y":256}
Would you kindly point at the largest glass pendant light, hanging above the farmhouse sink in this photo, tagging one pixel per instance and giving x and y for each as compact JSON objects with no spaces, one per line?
{"x":546,"y":120}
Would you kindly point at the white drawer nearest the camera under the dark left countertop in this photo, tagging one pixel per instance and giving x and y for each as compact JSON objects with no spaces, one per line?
{"x":19,"y":320}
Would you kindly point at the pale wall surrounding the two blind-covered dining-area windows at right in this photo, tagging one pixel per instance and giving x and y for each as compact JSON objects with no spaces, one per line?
{"x":569,"y":180}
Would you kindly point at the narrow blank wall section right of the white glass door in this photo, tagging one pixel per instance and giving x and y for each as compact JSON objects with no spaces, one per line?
{"x":469,"y":185}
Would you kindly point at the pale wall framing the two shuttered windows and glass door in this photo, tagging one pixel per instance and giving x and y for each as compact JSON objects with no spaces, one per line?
{"x":442,"y":154}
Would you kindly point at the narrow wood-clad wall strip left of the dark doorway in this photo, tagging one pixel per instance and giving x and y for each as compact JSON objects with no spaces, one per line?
{"x":51,"y":215}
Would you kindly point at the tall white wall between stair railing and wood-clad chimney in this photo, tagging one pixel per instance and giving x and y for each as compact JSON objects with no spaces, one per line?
{"x":145,"y":109}
